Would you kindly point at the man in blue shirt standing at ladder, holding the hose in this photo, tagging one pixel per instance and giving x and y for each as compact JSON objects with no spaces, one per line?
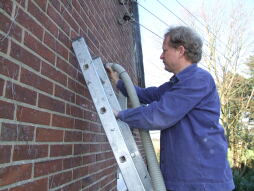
{"x":186,"y":110}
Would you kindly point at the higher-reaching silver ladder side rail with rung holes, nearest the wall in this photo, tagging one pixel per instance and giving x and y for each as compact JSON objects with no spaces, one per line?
{"x":123,"y":157}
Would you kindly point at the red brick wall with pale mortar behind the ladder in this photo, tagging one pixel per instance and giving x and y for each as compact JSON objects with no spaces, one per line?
{"x":50,"y":134}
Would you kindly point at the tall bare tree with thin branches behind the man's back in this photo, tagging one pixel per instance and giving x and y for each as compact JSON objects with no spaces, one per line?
{"x":227,"y":42}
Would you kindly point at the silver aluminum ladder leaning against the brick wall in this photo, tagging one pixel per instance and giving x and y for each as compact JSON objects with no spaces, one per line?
{"x":123,"y":145}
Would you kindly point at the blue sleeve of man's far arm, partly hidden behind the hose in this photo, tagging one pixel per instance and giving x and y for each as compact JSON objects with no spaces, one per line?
{"x":145,"y":95}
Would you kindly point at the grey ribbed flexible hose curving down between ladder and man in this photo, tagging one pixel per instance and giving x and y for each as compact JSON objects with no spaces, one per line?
{"x":153,"y":166}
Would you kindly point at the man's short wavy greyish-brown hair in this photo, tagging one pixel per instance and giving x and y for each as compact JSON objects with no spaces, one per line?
{"x":189,"y":39}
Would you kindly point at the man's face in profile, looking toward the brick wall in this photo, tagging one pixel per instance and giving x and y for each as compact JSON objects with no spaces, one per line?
{"x":169,"y":56}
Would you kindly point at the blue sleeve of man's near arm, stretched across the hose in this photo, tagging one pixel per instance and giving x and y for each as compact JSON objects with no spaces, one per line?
{"x":172,"y":106}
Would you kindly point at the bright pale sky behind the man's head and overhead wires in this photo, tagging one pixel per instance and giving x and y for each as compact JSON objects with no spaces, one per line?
{"x":172,"y":13}
